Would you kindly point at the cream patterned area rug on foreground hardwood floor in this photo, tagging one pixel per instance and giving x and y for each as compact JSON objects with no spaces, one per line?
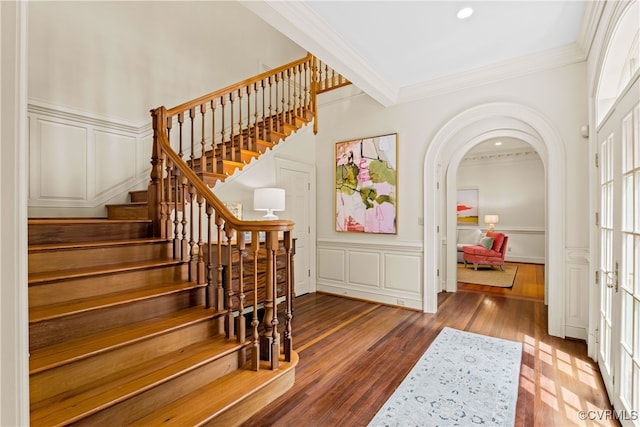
{"x":462,"y":379}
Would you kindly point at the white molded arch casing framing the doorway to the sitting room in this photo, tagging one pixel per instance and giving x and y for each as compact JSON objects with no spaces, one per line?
{"x":446,"y":151}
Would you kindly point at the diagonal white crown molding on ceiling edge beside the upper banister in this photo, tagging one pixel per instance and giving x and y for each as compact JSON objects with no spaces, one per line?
{"x":302,"y":24}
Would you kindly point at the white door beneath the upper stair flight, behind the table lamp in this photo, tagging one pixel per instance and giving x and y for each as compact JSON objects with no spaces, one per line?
{"x":296,"y":179}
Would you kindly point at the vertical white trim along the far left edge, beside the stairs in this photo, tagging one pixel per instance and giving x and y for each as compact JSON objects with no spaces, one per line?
{"x":14,"y":321}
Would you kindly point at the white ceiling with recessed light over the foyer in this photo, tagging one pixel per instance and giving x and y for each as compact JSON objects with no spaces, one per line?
{"x":389,"y":47}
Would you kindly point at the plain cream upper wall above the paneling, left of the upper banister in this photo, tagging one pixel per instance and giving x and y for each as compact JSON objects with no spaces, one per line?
{"x":121,"y":59}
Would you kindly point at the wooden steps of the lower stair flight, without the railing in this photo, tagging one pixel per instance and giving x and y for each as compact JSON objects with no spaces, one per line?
{"x":119,"y":336}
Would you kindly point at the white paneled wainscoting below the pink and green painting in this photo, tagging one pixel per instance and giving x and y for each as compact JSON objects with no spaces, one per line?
{"x":386,"y":273}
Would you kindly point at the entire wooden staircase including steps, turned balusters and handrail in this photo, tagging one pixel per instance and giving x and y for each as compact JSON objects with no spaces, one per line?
{"x":171,"y":311}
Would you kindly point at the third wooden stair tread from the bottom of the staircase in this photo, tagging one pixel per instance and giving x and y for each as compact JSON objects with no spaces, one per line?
{"x":73,"y":350}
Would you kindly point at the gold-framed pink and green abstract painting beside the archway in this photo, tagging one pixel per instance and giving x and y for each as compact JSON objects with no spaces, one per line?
{"x":366,"y":185}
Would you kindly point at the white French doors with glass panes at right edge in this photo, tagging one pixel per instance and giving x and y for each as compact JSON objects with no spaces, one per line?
{"x":619,"y":264}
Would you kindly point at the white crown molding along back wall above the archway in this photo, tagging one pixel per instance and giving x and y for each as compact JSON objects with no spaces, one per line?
{"x":529,"y":64}
